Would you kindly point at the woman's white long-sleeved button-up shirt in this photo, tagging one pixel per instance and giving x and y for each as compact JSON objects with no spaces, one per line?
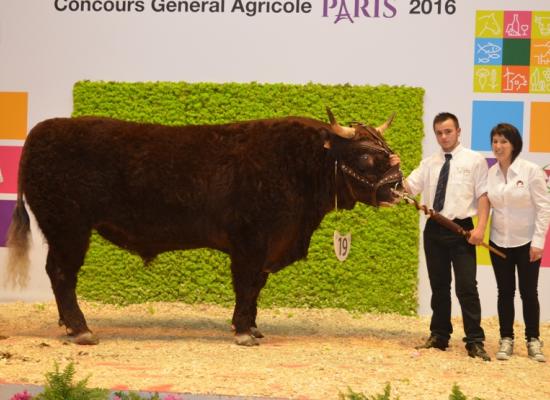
{"x":520,"y":204}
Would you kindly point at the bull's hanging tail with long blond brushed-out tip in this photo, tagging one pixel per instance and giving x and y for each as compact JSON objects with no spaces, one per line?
{"x":18,"y":246}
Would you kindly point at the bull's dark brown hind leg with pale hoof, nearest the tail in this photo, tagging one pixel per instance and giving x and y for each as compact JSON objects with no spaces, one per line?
{"x":62,"y":266}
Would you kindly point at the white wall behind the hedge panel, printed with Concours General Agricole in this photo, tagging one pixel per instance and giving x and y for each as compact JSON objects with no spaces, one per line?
{"x":44,"y":52}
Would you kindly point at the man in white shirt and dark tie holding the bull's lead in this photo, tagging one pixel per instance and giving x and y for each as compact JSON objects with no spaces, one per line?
{"x":464,"y":197}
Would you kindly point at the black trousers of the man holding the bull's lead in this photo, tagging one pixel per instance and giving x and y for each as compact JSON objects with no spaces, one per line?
{"x":444,"y":248}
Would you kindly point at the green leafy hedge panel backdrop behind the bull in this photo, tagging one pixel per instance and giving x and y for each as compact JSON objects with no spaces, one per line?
{"x":380,"y":274}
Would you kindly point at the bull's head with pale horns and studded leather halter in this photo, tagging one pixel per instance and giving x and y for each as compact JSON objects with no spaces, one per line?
{"x":363,"y":156}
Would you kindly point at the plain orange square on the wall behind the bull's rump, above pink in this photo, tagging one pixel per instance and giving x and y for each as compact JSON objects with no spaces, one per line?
{"x":13,"y":115}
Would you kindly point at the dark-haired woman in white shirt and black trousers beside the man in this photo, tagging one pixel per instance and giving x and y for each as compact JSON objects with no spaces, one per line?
{"x":521,"y":212}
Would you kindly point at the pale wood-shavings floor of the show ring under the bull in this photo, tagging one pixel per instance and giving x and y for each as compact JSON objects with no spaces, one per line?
{"x":306,"y":354}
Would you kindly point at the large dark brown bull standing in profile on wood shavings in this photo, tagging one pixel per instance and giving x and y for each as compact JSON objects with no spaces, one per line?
{"x":256,"y":190}
